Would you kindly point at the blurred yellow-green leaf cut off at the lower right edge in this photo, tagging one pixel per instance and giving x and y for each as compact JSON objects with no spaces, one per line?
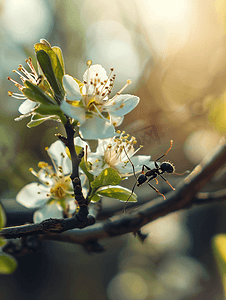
{"x":219,"y":251}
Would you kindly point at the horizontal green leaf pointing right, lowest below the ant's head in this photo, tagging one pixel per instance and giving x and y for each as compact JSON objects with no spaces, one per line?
{"x":117,"y":192}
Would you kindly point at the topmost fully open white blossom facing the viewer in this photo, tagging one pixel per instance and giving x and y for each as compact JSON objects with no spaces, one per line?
{"x":90,"y":105}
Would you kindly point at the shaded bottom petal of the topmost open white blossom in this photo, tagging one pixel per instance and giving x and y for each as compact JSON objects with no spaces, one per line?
{"x":96,"y":128}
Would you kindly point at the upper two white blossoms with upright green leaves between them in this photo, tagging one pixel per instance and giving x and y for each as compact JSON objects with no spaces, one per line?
{"x":57,"y":96}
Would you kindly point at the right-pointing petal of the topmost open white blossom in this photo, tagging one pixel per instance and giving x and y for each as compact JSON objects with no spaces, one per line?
{"x":122,"y":105}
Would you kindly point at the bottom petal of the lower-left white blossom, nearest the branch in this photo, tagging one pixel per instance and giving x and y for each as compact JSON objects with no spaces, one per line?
{"x":52,"y":210}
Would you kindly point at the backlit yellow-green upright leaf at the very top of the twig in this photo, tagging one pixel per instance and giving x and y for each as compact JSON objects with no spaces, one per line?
{"x":56,"y":58}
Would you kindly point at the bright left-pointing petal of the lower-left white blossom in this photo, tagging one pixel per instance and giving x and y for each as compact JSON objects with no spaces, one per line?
{"x":33,"y":195}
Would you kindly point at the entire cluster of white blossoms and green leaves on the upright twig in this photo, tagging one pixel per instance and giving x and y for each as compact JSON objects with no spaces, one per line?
{"x":48,"y":93}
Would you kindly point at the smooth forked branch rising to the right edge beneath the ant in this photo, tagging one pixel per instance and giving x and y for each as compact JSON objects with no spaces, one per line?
{"x":183,"y":197}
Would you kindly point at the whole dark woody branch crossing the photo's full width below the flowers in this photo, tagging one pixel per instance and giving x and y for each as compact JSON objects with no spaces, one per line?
{"x":183,"y":197}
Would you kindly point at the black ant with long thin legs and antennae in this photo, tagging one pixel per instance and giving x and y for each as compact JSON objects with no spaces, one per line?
{"x":164,"y":167}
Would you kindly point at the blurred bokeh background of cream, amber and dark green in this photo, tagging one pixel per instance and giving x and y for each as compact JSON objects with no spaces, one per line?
{"x":174,"y":53}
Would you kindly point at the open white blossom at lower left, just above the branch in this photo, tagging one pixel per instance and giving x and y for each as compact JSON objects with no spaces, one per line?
{"x":54,"y":192}
